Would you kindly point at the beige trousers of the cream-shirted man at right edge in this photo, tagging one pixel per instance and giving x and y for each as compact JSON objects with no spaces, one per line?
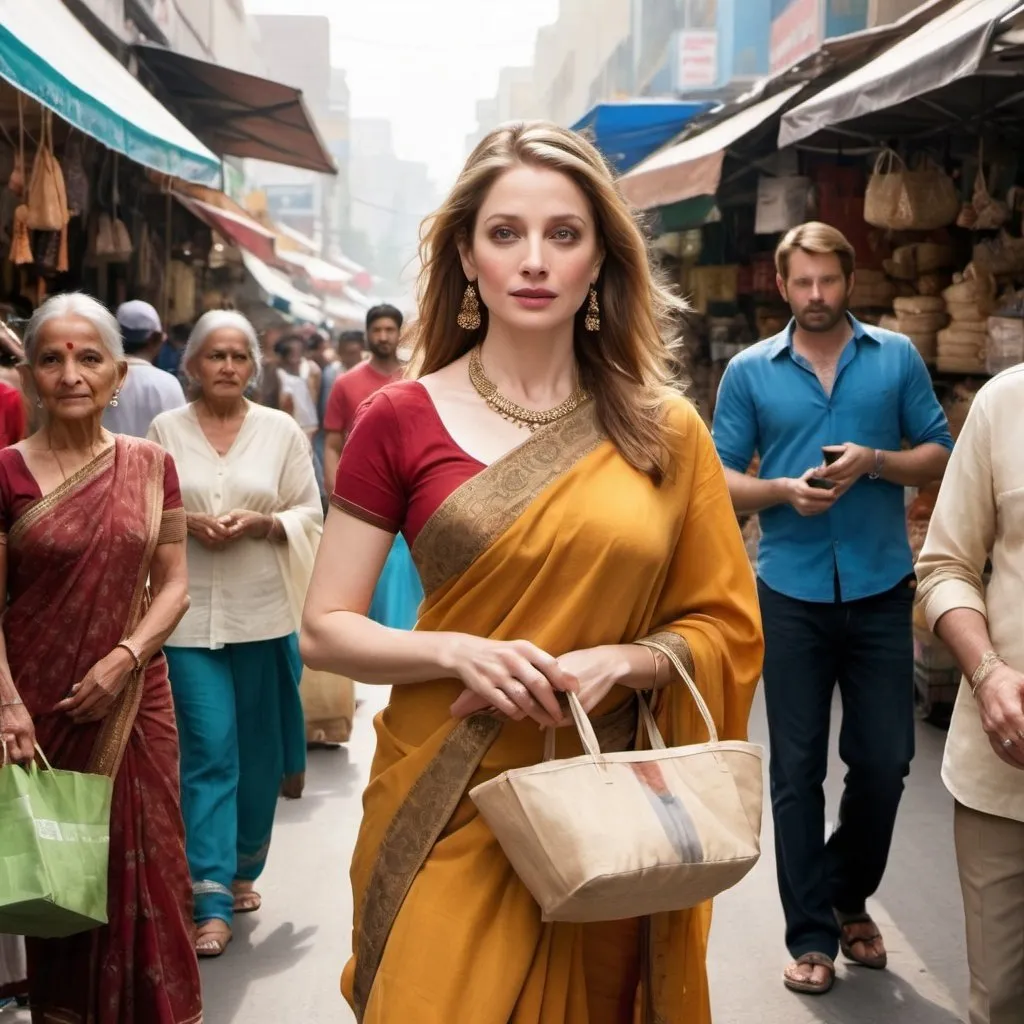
{"x":991,"y":859}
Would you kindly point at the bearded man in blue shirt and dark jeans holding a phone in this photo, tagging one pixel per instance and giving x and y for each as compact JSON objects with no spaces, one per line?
{"x":836,"y":583}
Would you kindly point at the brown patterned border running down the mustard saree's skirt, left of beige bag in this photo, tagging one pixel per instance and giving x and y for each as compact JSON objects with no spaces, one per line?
{"x":411,"y":837}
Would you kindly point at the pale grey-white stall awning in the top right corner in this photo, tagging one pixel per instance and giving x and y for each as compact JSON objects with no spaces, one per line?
{"x":951,"y":47}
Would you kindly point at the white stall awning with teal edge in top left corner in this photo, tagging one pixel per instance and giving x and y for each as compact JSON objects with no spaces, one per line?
{"x":49,"y":55}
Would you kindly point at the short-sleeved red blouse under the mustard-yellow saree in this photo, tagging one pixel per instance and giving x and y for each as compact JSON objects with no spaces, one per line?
{"x":400,"y":463}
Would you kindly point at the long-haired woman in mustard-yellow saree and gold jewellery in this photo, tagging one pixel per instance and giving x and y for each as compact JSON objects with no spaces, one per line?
{"x":572,"y":560}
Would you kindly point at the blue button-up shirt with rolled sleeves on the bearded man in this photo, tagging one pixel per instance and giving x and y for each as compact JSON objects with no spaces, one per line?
{"x":771,"y":402}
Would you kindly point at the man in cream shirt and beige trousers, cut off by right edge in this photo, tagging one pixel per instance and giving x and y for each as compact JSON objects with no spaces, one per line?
{"x":979,"y":518}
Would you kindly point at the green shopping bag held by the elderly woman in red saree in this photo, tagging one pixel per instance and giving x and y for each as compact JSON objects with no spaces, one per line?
{"x":55,"y":846}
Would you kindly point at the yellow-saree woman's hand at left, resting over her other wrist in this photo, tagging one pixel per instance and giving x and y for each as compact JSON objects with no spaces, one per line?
{"x":513,"y":677}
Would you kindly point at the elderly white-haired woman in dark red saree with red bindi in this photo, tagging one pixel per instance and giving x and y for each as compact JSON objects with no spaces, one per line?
{"x":94,"y":572}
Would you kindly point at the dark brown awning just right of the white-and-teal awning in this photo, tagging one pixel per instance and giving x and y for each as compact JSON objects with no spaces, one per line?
{"x":241,"y":115}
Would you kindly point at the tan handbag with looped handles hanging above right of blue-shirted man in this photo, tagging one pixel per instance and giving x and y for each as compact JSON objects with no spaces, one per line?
{"x":902,"y":199}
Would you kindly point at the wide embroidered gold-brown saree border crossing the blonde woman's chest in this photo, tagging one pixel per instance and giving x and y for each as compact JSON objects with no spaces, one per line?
{"x":486,"y":506}
